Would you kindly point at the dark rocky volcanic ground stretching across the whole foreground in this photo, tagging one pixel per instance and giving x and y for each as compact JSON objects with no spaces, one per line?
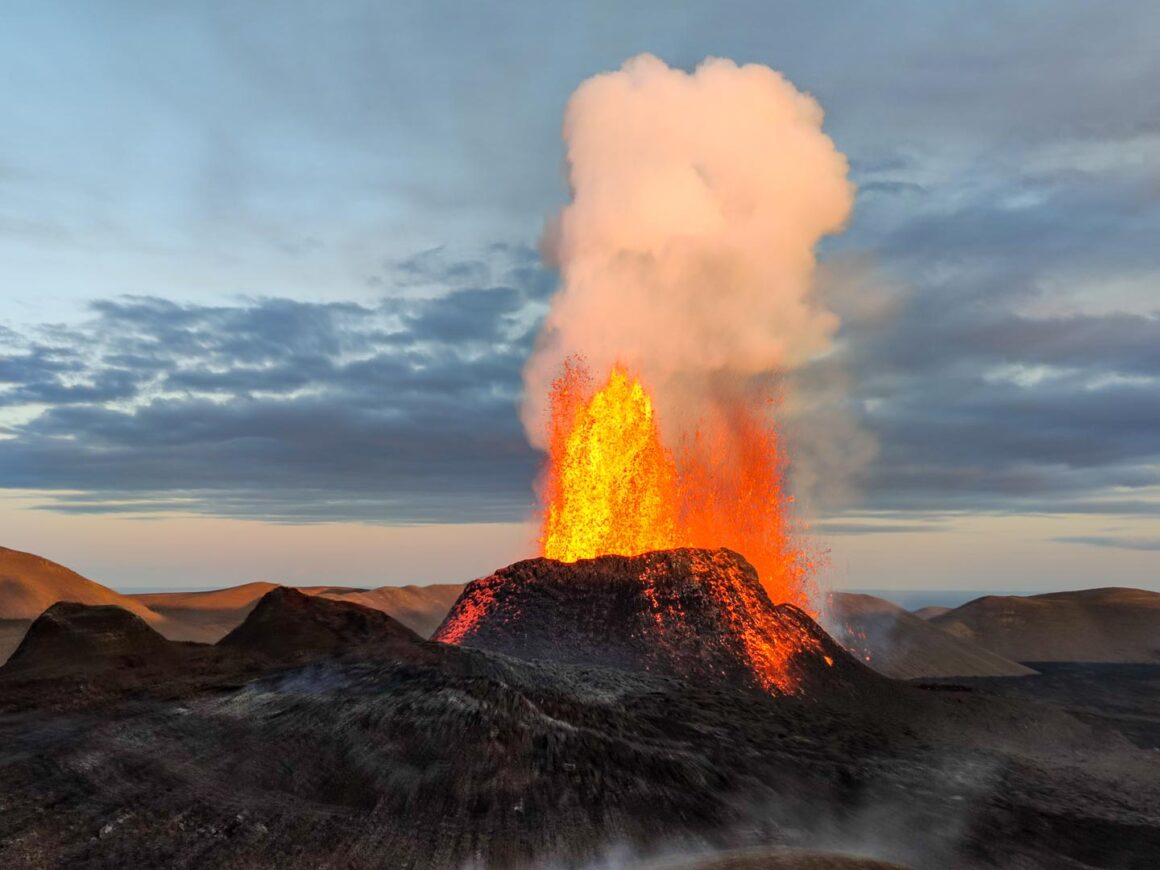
{"x":361,"y":746}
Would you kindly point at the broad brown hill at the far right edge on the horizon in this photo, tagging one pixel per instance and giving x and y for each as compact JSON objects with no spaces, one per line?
{"x":1108,"y":625}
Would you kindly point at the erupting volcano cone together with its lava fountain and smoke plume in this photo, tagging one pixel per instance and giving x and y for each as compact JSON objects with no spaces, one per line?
{"x":687,"y":302}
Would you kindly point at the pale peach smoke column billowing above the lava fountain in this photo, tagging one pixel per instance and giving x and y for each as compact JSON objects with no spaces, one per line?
{"x":687,"y":252}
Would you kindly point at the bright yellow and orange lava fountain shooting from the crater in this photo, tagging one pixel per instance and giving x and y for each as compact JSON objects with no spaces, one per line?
{"x":614,"y":489}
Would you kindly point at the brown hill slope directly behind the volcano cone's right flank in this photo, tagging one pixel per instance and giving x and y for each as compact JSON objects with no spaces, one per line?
{"x":900,"y":644}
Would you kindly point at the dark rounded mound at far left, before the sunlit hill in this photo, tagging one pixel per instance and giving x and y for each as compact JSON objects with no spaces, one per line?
{"x":70,"y":637}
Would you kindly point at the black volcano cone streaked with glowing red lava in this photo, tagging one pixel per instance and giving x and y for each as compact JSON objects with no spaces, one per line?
{"x":694,"y":614}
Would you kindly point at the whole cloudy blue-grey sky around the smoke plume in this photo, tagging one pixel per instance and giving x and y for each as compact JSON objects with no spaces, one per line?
{"x":271,"y":273}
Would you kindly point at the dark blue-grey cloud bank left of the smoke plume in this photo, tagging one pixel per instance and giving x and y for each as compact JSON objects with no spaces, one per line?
{"x":397,"y":412}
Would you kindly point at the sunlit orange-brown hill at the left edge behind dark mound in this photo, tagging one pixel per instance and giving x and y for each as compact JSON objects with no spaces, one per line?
{"x":30,"y":585}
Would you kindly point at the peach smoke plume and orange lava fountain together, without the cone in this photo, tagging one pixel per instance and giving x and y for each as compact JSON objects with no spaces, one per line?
{"x":687,"y":263}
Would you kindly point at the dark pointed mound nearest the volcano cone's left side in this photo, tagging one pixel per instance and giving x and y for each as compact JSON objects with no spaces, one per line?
{"x":288,"y":626}
